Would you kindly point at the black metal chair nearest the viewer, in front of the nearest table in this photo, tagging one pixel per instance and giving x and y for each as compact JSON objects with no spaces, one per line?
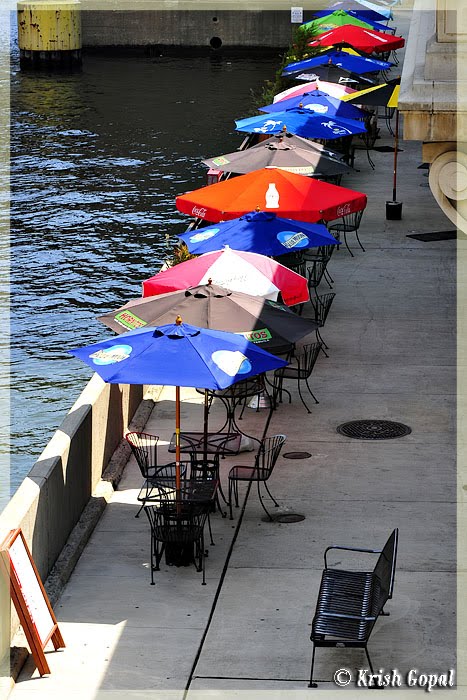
{"x":177,"y":523}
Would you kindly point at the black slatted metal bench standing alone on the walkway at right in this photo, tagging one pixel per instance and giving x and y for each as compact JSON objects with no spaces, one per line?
{"x":350,"y":602}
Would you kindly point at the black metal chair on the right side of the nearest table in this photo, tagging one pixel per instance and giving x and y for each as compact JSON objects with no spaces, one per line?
{"x":265,"y":461}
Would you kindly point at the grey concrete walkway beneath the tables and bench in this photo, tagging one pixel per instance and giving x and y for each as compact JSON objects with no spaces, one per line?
{"x":391,"y":333}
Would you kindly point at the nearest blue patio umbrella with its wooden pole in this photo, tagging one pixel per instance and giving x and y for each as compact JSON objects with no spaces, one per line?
{"x":177,"y":355}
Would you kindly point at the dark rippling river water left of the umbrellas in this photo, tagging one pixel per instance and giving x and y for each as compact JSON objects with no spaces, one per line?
{"x":97,"y":158}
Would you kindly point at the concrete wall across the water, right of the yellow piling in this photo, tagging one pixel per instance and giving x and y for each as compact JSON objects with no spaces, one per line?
{"x":187,"y":28}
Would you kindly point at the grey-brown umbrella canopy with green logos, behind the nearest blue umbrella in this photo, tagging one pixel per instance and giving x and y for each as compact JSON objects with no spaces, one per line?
{"x":210,"y":306}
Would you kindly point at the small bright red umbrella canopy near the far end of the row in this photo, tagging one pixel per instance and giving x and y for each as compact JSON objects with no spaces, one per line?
{"x":367,"y":40}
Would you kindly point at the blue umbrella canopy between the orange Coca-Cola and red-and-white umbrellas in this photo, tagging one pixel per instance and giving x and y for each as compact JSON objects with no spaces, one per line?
{"x":259,"y":232}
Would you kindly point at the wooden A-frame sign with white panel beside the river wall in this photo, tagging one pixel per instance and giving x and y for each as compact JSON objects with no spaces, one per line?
{"x":30,"y":598}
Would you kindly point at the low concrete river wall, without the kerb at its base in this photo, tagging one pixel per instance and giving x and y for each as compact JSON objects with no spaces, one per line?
{"x":50,"y":501}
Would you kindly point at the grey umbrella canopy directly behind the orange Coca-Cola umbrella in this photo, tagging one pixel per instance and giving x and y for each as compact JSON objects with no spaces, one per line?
{"x":279,"y":154}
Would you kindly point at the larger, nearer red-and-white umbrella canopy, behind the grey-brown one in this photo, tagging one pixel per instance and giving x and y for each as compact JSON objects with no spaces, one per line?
{"x":235,"y":270}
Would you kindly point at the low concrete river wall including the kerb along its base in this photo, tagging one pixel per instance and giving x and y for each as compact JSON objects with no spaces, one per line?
{"x":61,"y":499}
